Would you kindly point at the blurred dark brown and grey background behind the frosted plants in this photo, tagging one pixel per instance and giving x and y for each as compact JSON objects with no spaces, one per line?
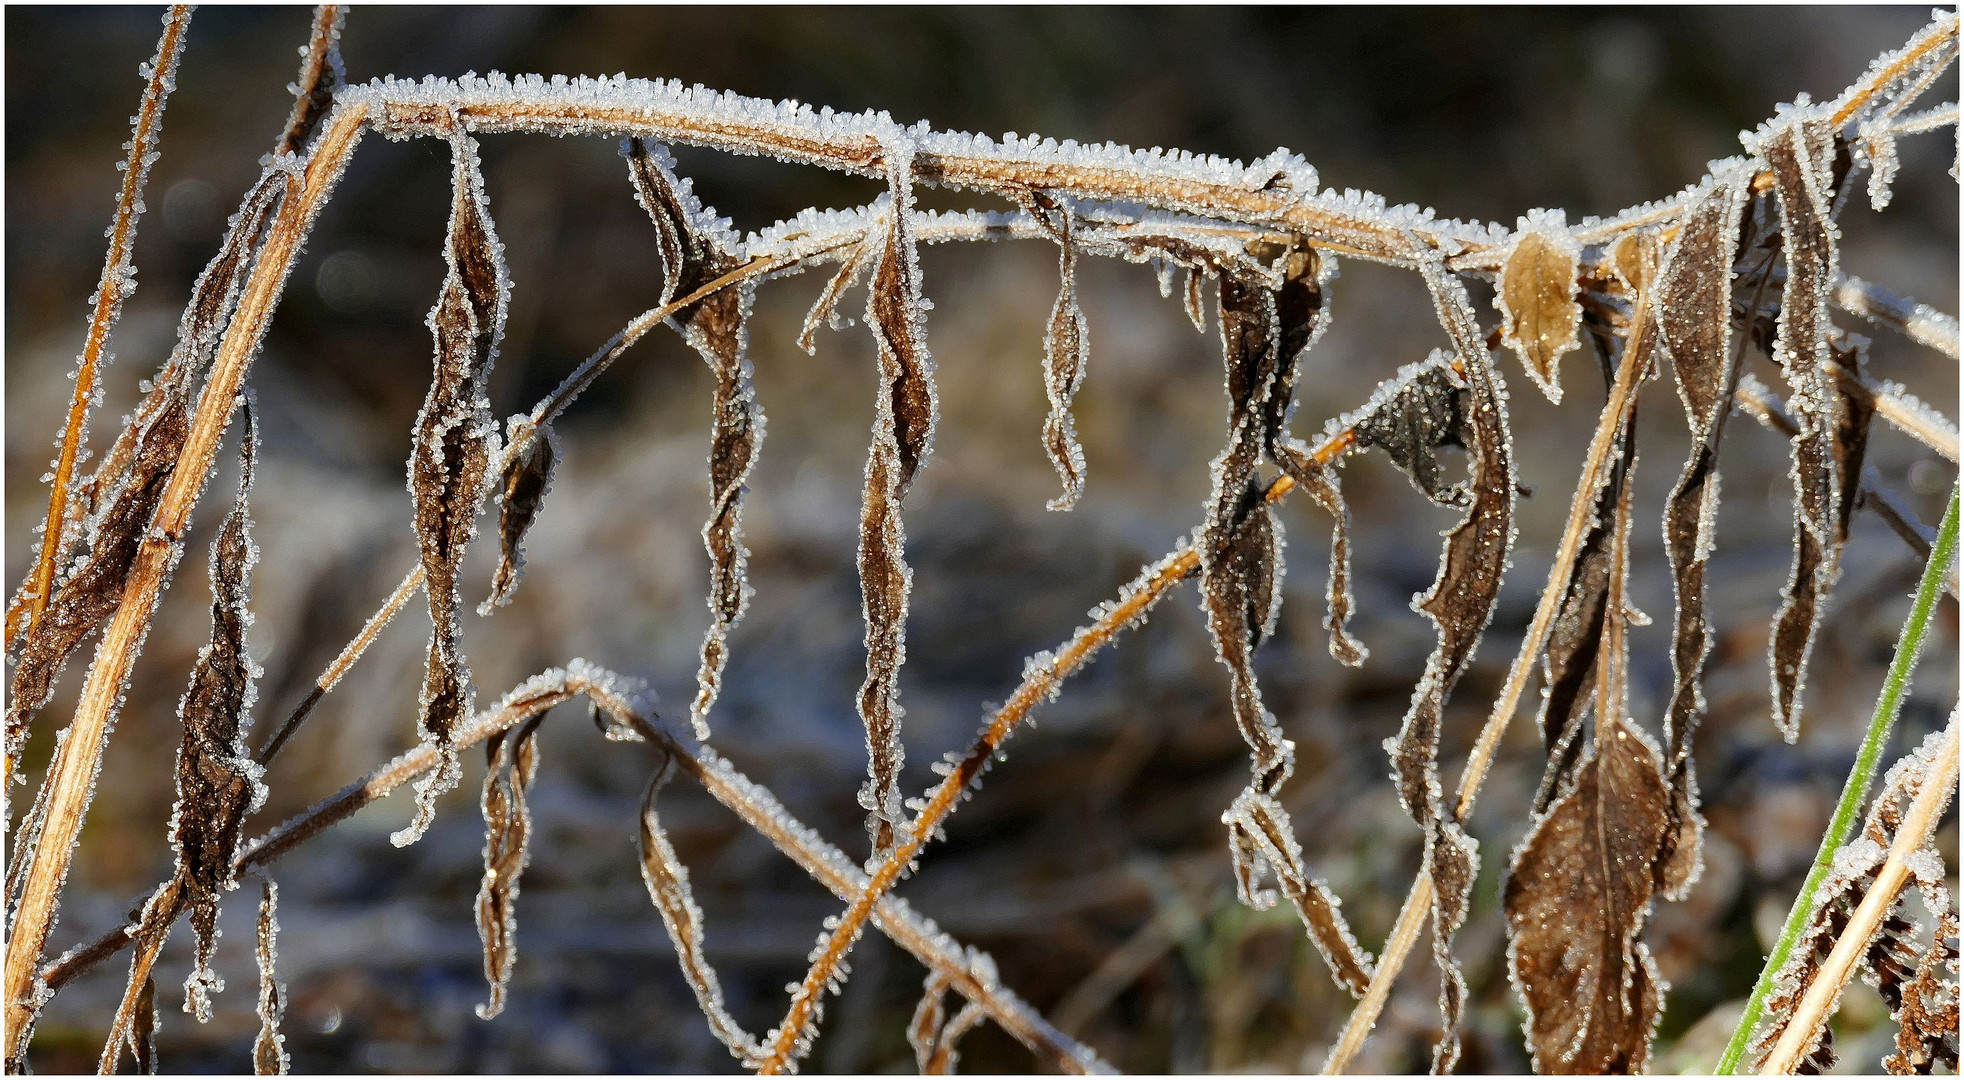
{"x":1093,"y":865}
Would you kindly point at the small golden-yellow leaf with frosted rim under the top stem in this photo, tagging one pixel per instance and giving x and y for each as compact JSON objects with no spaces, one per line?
{"x":1537,"y":297}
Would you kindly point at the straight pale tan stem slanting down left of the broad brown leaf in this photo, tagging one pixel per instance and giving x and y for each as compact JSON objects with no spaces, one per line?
{"x":1411,"y":918}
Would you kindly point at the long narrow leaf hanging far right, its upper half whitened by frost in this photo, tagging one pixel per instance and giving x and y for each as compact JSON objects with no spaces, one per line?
{"x":1802,"y":160}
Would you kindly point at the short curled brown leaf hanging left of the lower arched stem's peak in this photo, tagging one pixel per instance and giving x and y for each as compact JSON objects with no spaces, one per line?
{"x":512,"y":763}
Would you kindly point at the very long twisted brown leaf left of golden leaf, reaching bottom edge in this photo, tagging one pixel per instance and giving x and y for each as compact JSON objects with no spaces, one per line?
{"x":1460,"y":606}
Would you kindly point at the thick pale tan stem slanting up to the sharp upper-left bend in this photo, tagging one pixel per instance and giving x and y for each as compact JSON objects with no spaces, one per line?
{"x":74,"y":771}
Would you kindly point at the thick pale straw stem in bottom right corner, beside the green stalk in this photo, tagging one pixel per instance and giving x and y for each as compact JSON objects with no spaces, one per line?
{"x":1828,"y":985}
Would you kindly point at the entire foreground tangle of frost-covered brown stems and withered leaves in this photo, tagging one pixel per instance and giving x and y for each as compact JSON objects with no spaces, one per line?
{"x":1670,"y":292}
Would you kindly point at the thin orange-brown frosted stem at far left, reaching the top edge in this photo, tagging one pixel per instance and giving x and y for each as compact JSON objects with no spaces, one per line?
{"x":111,"y":294}
